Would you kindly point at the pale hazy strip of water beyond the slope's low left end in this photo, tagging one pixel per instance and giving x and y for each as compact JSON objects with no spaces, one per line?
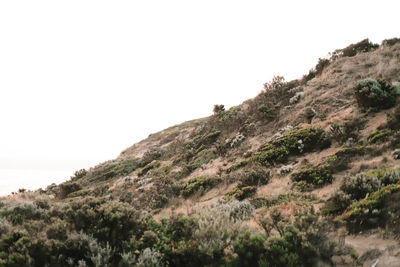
{"x":13,"y":179}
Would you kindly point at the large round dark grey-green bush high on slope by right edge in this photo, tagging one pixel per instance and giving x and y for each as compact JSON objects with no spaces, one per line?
{"x":377,"y":94}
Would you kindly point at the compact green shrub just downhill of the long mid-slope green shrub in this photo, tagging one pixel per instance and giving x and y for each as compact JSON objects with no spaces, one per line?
{"x":313,"y":176}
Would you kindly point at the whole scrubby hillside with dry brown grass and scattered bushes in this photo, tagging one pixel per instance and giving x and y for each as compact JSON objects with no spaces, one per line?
{"x":306,"y":173}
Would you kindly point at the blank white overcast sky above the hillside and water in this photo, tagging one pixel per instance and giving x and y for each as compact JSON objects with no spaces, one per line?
{"x":83,"y":80}
